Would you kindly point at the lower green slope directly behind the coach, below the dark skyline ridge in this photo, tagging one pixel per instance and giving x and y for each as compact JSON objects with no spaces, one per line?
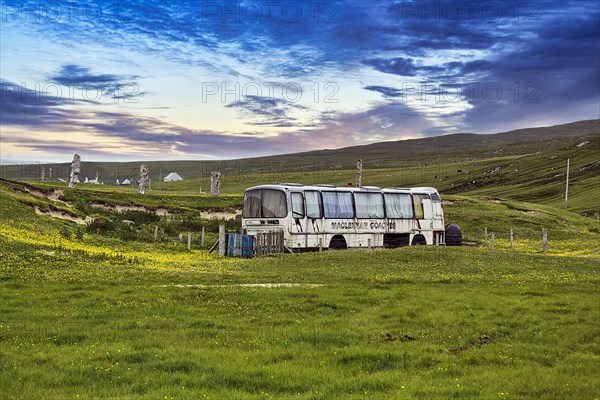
{"x":537,"y":178}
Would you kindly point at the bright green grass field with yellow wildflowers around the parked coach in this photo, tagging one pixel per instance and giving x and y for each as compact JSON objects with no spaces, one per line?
{"x":87,"y":315}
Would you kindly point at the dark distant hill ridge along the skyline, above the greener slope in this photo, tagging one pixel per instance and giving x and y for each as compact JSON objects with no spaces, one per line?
{"x":456,"y":148}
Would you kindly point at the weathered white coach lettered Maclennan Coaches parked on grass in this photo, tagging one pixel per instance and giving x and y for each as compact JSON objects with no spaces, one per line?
{"x":333,"y":217}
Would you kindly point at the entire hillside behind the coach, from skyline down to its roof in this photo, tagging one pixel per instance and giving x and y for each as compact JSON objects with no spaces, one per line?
{"x":525,"y":165}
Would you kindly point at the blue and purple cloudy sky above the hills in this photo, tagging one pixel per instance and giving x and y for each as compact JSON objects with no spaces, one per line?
{"x":213,"y":79}
